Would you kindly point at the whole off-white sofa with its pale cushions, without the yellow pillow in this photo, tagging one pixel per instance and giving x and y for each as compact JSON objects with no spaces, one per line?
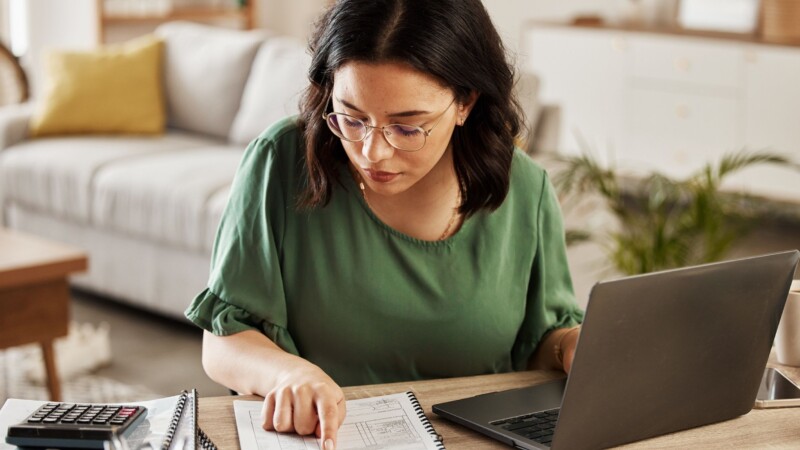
{"x":146,"y":208}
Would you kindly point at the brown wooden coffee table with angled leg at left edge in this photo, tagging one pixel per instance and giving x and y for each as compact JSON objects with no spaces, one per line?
{"x":34,"y":294}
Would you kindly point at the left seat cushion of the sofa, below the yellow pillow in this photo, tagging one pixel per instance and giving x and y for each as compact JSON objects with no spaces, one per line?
{"x":55,"y":175}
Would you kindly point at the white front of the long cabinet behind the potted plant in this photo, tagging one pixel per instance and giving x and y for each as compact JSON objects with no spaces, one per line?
{"x":672,"y":102}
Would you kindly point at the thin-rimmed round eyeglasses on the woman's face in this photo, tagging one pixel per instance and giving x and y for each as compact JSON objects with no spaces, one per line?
{"x":407,"y":138}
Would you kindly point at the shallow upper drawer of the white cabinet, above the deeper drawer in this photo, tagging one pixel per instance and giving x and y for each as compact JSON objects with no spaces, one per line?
{"x":684,"y":60}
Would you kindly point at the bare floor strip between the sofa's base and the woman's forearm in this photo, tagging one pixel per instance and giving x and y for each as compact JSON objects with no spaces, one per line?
{"x":160,"y":354}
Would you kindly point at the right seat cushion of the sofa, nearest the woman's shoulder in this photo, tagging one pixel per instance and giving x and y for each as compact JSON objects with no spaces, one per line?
{"x":164,"y":197}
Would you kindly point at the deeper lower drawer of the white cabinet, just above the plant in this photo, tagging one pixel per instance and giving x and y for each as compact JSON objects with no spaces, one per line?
{"x":678,"y":133}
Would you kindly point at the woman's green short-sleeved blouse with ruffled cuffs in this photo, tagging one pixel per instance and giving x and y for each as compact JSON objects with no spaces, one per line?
{"x":369,"y":304}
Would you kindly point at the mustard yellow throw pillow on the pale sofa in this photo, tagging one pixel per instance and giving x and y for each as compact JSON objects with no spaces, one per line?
{"x":116,"y":89}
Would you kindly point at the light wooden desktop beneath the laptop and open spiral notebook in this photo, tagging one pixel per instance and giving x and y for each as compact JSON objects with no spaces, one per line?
{"x":773,"y":428}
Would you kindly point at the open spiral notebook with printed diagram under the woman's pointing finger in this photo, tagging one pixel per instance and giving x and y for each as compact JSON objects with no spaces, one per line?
{"x":392,"y":421}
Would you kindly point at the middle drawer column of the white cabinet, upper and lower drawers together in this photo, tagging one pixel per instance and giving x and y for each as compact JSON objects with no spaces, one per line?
{"x":683,"y":103}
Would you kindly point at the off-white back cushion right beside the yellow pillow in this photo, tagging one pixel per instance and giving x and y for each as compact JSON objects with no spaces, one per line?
{"x":205,"y":69}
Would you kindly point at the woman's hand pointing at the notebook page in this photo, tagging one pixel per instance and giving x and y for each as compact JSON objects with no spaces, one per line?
{"x":305,"y":400}
